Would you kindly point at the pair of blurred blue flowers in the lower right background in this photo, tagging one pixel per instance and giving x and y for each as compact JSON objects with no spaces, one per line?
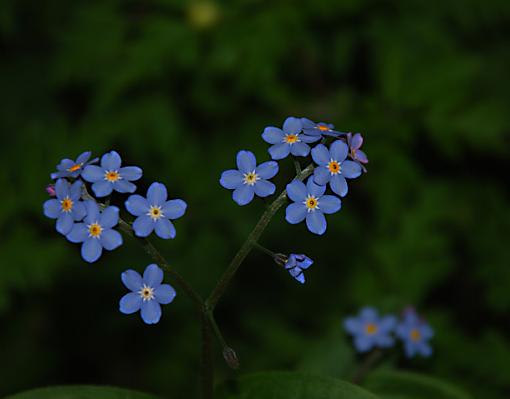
{"x":369,"y":331}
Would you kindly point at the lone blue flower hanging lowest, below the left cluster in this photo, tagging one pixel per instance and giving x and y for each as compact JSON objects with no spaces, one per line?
{"x":147,"y":293}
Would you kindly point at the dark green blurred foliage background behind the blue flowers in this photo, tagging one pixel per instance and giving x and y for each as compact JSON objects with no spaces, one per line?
{"x":178,"y":88}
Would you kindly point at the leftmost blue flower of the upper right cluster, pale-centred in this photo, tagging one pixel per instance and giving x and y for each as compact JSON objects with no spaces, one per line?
{"x":249,"y":179}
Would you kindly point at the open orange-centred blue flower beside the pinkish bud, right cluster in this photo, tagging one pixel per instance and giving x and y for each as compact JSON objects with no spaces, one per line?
{"x":333,"y":167}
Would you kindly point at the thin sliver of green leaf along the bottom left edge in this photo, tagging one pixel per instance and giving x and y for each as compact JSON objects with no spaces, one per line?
{"x":81,"y":392}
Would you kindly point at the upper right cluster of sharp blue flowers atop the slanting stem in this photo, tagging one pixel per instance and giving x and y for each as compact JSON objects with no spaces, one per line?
{"x":337,"y":156}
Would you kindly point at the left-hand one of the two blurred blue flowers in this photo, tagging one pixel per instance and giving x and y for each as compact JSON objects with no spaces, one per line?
{"x":369,"y":330}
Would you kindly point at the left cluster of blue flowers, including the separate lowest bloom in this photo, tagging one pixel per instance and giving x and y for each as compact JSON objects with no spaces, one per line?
{"x":83,"y":218}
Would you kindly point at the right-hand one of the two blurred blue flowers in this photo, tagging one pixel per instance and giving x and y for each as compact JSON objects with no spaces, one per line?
{"x":415,"y":334}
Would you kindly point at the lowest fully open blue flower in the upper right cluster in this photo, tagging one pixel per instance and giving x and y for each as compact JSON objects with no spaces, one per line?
{"x":311,"y":204}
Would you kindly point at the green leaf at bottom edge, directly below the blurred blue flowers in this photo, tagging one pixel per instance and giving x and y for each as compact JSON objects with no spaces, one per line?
{"x":405,"y":385}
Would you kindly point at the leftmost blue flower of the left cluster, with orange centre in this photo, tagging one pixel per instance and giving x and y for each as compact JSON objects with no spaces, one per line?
{"x":67,"y":207}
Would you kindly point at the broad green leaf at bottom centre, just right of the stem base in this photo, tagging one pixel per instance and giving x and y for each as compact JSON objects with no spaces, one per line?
{"x":285,"y":385}
